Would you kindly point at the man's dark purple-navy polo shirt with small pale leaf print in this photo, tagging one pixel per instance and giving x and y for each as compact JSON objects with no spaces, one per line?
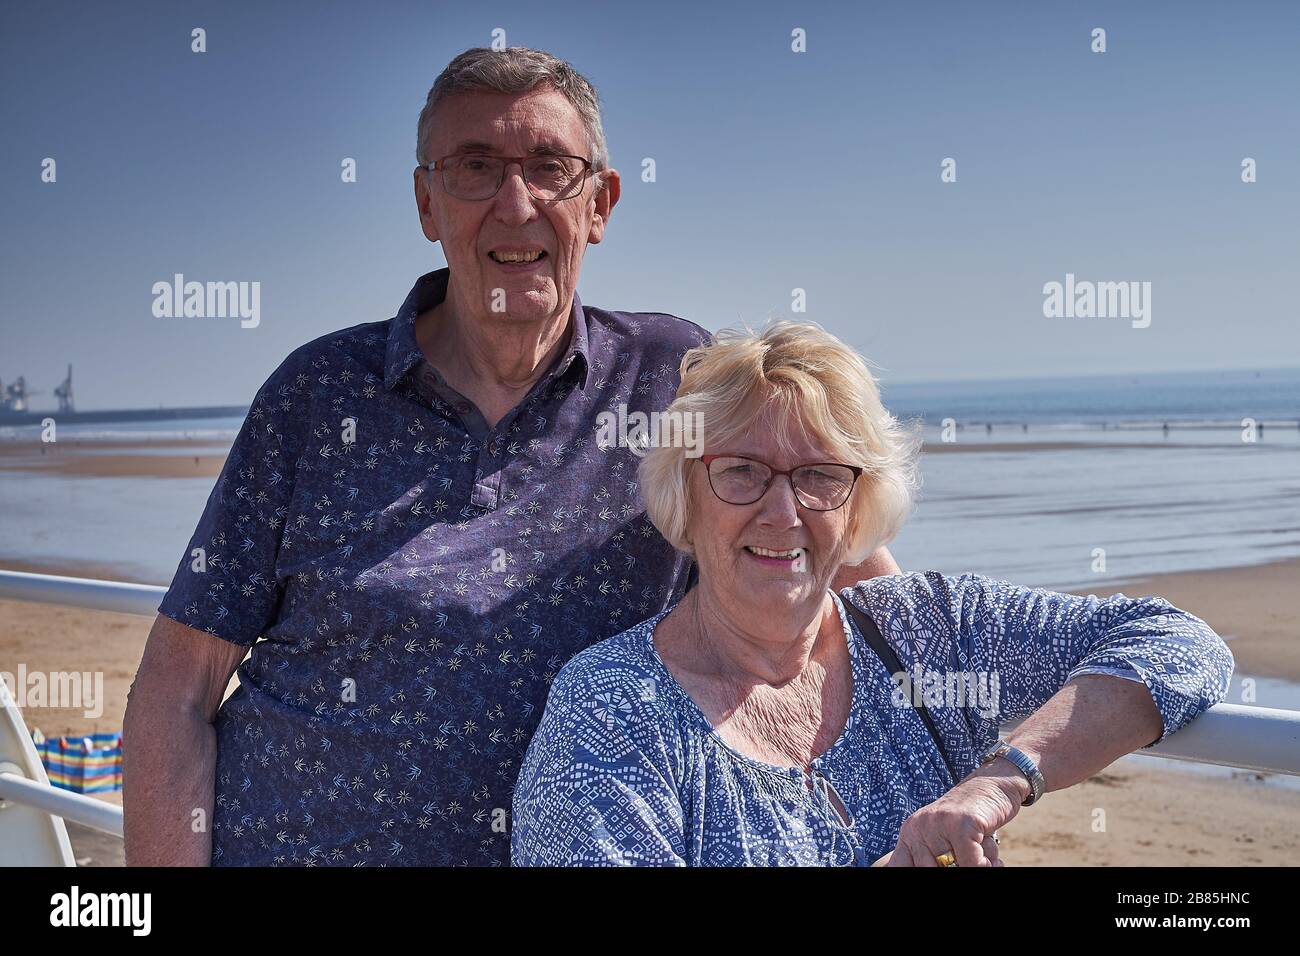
{"x":415,"y":590}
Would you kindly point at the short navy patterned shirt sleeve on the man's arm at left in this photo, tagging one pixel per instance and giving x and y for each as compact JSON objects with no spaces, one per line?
{"x":227,"y":583}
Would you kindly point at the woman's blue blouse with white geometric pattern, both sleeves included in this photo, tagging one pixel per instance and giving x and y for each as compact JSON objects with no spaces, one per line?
{"x":626,"y":771}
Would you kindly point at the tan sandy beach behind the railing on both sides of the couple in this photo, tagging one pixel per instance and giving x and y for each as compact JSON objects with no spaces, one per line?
{"x":1152,"y":816}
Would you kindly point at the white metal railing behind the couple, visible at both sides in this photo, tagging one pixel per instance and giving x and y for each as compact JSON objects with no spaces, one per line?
{"x":1262,"y":739}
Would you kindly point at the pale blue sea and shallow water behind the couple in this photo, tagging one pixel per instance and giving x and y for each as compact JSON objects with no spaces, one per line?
{"x":1060,"y":483}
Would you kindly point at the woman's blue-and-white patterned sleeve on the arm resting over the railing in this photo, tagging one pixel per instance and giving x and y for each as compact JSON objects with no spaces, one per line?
{"x":1037,"y":641}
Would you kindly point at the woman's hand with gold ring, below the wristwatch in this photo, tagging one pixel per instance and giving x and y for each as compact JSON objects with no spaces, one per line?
{"x":961,"y":823}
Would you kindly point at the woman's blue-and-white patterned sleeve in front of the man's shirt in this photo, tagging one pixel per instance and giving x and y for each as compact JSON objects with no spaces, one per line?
{"x":596,"y":788}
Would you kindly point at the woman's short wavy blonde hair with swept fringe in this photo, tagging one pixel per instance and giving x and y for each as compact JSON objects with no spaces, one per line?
{"x":824,"y":392}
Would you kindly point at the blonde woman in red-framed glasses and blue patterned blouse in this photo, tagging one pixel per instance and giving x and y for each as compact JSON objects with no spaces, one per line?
{"x":757,"y":721}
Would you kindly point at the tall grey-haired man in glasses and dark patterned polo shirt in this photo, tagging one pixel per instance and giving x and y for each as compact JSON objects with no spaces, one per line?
{"x":418,"y":522}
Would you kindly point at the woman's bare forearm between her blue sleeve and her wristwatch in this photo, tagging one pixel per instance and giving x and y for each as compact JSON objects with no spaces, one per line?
{"x":1085,"y":728}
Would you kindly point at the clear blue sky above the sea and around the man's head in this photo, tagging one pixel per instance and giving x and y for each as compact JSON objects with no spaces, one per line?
{"x":226,"y":166}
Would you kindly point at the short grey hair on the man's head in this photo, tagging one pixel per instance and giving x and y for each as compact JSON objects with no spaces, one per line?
{"x":515,"y":71}
